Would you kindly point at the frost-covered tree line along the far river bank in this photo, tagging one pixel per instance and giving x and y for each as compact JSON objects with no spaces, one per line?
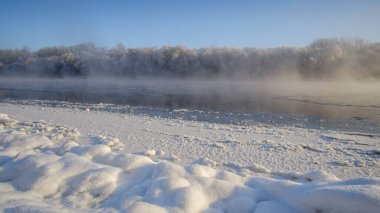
{"x":322,"y":59}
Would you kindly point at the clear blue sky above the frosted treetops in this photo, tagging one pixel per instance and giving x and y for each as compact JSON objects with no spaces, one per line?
{"x":196,"y":23}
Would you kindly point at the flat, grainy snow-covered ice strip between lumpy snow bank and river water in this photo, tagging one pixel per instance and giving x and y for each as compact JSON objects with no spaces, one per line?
{"x":233,"y":147}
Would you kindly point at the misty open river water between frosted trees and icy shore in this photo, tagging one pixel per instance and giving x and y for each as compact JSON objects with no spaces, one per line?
{"x":326,"y":100}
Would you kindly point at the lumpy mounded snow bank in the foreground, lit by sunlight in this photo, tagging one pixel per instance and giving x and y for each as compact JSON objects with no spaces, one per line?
{"x":42,"y":172}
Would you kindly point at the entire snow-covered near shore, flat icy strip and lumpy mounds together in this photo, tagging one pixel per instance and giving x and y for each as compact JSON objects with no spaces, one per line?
{"x":46,"y":165}
